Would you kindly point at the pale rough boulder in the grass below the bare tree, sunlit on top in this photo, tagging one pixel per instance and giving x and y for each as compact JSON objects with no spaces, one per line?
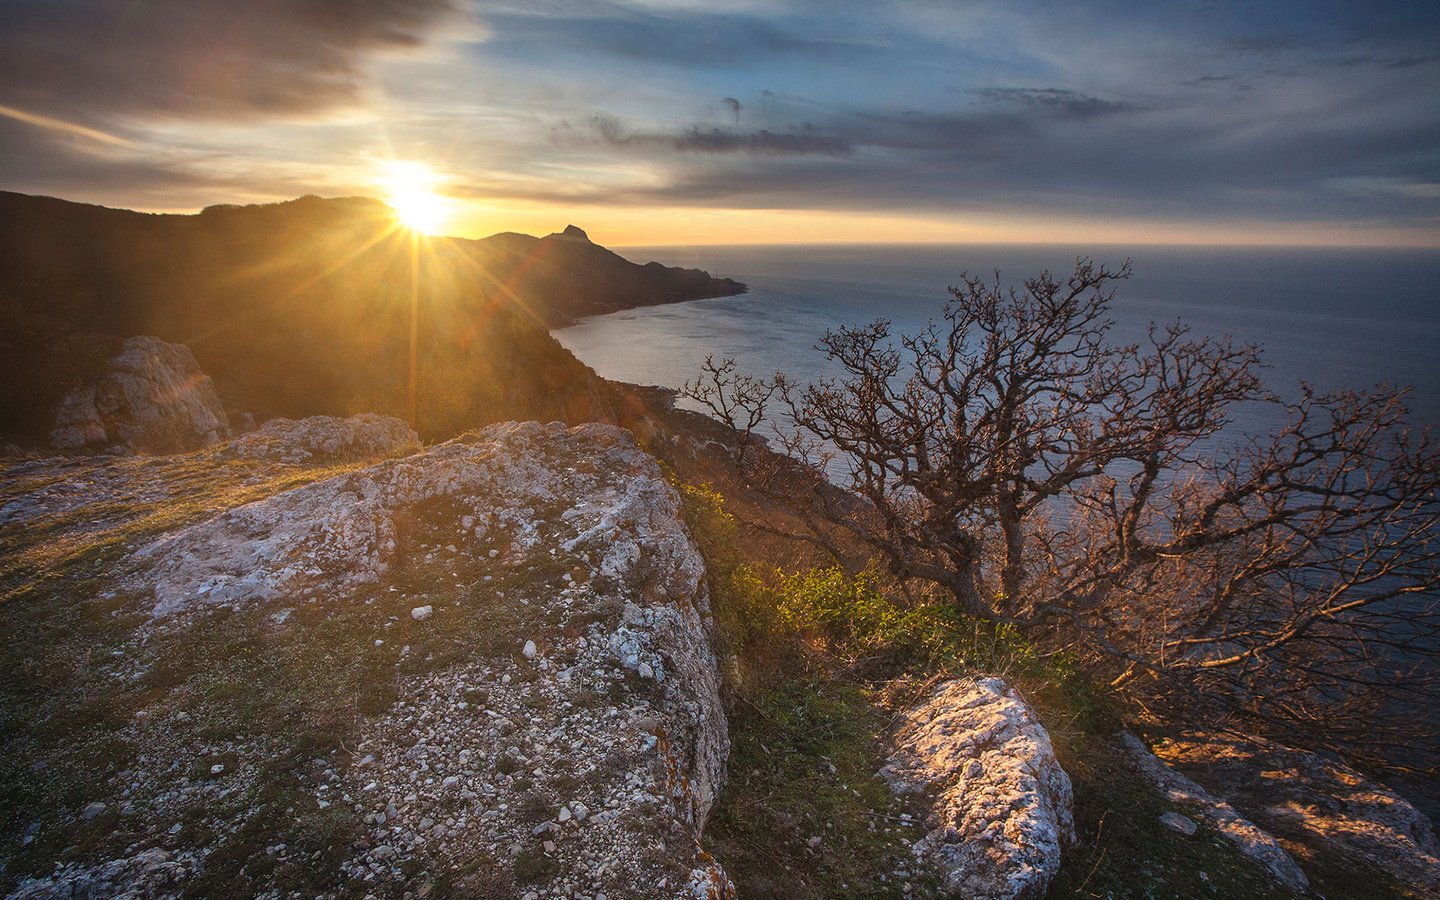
{"x":1000,"y":803}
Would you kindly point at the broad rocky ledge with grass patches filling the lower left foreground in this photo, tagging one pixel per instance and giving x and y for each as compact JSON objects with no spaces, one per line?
{"x":479,"y":670}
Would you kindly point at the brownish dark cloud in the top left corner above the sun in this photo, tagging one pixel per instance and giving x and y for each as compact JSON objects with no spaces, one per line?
{"x":199,"y":58}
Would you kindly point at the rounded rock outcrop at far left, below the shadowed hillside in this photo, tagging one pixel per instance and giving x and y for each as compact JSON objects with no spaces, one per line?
{"x":153,"y":400}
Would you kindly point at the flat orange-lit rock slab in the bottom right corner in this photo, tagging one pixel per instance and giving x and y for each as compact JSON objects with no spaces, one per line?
{"x":1317,"y":801}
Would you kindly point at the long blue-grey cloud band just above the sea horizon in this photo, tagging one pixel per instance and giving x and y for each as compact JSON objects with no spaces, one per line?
{"x":1169,"y":163}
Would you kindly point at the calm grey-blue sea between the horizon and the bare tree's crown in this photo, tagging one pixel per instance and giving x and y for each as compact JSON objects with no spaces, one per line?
{"x":1333,"y":318}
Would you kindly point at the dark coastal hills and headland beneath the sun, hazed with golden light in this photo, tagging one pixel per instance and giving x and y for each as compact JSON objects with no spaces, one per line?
{"x":306,"y":309}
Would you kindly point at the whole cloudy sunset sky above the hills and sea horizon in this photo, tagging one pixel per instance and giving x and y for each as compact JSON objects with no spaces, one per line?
{"x":686,"y":122}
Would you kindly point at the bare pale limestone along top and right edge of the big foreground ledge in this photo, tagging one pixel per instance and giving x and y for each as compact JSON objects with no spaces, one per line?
{"x":477,"y":761}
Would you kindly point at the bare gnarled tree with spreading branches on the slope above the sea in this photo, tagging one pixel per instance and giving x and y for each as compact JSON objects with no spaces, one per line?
{"x":1049,"y":477}
